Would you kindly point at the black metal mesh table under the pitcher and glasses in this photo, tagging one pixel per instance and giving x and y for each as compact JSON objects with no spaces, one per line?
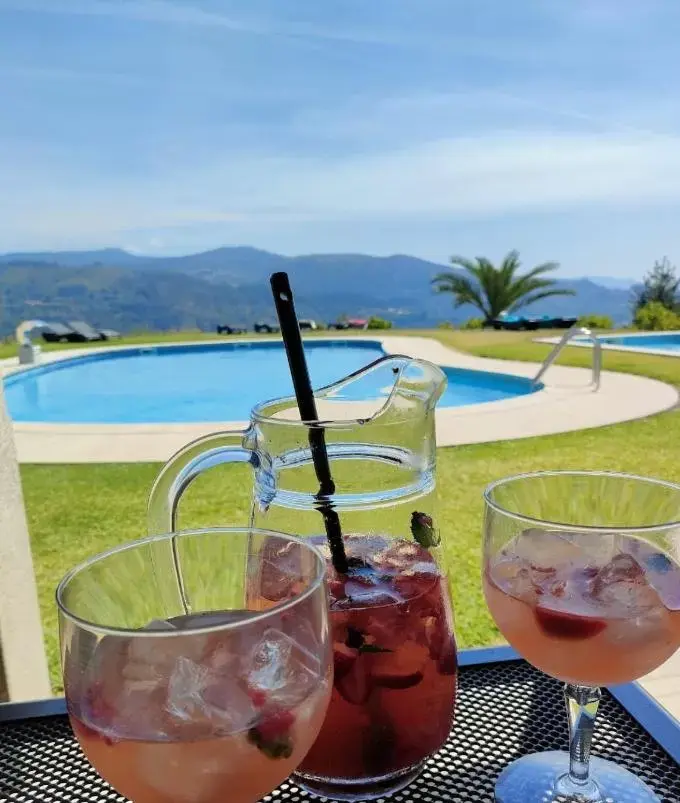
{"x":505,"y":709}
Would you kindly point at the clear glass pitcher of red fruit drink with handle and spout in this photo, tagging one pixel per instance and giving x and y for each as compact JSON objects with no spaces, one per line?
{"x":391,"y":619}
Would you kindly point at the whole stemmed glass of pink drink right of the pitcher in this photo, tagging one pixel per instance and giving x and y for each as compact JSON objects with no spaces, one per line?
{"x":581,"y":575}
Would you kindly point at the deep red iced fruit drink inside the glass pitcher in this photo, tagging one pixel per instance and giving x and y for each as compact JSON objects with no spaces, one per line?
{"x":395,"y":665}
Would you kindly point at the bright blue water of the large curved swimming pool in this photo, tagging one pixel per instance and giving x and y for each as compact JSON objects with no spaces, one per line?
{"x":198,"y":383}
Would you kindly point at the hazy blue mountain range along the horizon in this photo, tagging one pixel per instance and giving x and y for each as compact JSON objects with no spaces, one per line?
{"x":113,"y":288}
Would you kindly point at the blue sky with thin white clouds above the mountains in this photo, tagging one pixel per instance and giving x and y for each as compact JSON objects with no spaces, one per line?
{"x":427,"y":127}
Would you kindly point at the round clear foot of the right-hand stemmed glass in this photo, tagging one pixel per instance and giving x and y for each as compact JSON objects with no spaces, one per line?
{"x":544,"y":777}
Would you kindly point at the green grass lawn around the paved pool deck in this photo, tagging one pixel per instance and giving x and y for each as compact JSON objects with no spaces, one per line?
{"x":75,"y":511}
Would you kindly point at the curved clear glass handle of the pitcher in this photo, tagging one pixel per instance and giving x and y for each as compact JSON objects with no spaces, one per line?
{"x":183,"y":468}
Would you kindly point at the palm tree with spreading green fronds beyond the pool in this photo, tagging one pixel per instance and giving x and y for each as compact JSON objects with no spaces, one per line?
{"x":497,"y":289}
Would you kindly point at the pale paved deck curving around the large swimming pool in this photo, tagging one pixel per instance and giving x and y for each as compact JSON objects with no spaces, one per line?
{"x":567,"y":402}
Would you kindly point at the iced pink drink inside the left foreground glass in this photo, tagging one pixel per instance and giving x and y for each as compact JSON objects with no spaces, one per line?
{"x":200,"y":718}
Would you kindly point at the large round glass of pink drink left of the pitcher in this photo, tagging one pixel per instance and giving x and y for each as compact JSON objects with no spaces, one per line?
{"x":182,"y":681}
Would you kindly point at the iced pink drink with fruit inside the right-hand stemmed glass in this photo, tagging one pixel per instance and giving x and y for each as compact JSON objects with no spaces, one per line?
{"x":586,"y":608}
